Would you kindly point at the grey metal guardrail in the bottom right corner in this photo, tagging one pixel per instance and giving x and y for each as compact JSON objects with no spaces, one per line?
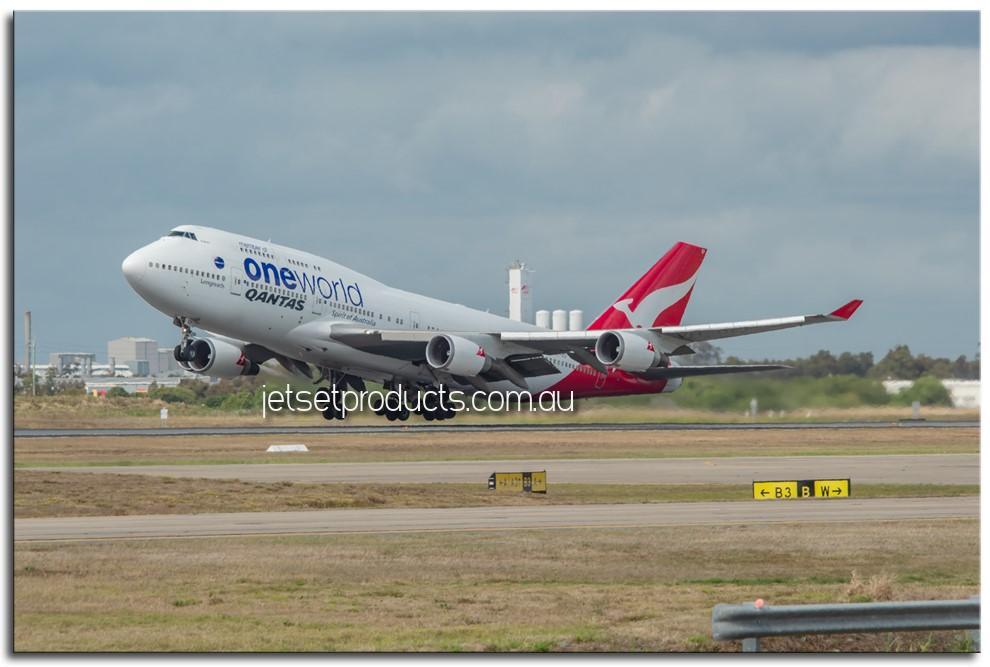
{"x":749,"y":622}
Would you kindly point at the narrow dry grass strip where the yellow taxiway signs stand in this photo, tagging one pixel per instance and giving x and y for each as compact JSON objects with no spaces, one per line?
{"x":50,"y":494}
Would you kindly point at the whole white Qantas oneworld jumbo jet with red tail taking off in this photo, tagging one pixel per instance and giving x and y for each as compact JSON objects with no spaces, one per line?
{"x":263,"y":306}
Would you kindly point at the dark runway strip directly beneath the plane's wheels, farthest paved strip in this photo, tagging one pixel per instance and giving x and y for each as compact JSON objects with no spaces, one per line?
{"x":466,"y":428}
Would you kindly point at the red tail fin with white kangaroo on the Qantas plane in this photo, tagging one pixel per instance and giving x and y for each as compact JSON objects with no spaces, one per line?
{"x":660,"y":296}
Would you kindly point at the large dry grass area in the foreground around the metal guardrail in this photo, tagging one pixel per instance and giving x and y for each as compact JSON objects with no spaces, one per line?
{"x":638,"y":589}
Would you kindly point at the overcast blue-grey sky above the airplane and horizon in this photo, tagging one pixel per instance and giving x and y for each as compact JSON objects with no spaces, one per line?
{"x":819,"y":157}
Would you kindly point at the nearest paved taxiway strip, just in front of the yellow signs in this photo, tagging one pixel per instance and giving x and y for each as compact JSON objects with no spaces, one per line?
{"x":494,"y":518}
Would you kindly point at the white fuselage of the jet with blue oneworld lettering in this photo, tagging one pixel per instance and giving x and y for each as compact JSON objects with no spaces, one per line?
{"x":284,"y":299}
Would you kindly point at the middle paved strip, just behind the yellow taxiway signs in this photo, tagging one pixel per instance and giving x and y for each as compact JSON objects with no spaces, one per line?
{"x":893,"y":469}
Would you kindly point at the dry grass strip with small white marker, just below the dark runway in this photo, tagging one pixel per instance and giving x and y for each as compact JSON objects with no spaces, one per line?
{"x":410,"y":446}
